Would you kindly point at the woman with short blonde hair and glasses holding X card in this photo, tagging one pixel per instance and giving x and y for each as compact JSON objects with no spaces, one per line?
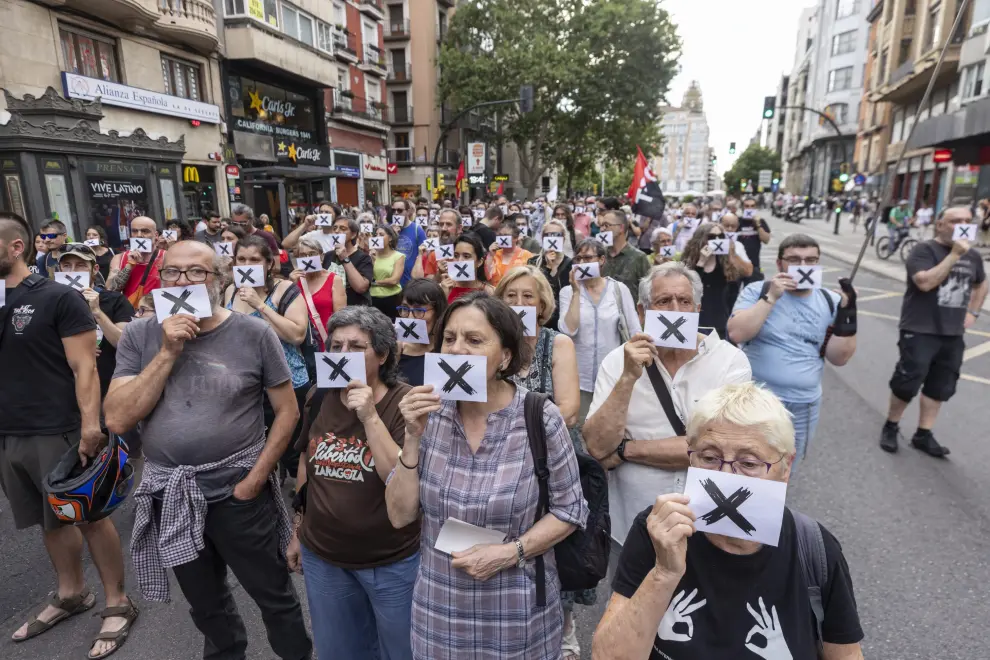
{"x":744,"y":591}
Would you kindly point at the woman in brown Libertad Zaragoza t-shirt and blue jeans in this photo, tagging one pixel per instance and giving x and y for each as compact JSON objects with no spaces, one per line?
{"x":359,"y":570}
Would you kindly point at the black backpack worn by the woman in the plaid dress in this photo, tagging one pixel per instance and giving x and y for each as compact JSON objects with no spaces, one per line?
{"x":582,"y":557}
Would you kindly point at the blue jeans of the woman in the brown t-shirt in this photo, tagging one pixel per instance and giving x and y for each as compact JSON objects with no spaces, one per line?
{"x":362,"y":614}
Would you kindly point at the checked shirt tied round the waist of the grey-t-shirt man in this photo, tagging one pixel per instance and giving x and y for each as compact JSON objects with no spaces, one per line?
{"x":177,"y":537}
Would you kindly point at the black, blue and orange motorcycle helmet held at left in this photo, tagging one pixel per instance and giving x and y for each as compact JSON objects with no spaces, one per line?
{"x":80,"y":494}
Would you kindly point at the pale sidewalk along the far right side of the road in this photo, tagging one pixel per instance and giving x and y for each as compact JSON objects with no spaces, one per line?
{"x":844,"y":247}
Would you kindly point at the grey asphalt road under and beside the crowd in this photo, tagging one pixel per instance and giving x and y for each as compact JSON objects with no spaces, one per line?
{"x":915,"y":530}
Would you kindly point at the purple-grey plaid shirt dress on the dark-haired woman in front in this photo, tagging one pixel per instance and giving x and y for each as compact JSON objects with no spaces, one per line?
{"x":454,"y":615}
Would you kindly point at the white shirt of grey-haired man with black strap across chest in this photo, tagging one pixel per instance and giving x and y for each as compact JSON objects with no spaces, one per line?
{"x":633,"y":487}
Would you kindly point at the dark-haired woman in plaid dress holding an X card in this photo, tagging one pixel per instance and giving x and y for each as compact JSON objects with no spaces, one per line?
{"x":467,"y":465}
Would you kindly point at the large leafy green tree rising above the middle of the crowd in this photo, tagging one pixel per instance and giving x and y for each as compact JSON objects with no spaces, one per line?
{"x":599,"y":69}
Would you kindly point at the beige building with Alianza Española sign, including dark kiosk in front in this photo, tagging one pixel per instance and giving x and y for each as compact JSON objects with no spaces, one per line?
{"x":153,"y":142}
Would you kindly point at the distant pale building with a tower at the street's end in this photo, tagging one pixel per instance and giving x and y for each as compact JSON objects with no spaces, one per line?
{"x":684,"y":161}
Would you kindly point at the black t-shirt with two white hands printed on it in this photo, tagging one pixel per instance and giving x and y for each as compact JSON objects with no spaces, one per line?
{"x":742,"y":607}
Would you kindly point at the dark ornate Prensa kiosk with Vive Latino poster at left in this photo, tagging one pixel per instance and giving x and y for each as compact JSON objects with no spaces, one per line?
{"x":56,"y":163}
